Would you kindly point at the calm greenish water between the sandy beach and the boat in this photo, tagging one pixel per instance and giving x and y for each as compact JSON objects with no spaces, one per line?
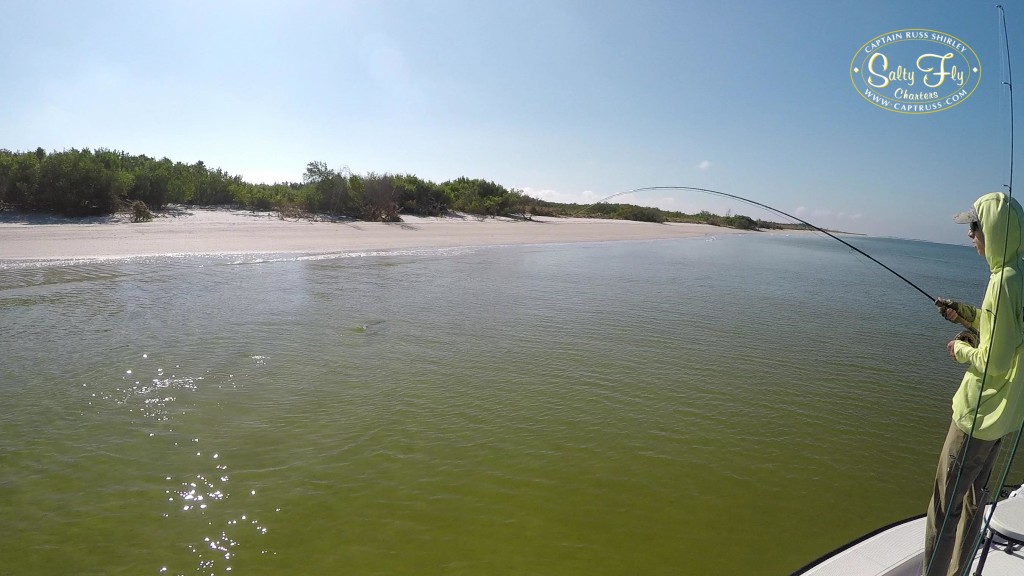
{"x":736,"y":406}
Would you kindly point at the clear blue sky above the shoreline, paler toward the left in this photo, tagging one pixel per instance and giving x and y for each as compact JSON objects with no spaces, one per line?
{"x":569,"y":101}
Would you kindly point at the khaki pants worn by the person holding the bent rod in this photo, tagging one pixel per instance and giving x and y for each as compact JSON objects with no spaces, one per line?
{"x":960,"y":488}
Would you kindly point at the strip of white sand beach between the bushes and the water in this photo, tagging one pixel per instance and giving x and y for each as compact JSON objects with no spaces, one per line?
{"x":210,"y":231}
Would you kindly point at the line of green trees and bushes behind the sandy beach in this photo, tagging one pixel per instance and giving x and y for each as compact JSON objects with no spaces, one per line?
{"x":86,"y":183}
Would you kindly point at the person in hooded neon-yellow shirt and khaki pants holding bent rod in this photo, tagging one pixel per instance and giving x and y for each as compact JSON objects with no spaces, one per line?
{"x":992,"y":347}
